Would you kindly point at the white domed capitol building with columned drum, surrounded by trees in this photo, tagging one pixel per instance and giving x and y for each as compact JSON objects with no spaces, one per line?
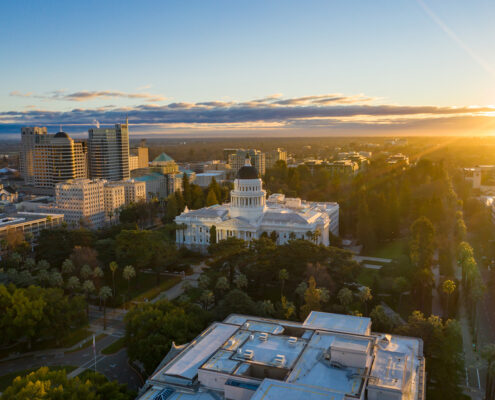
{"x":250,"y":214}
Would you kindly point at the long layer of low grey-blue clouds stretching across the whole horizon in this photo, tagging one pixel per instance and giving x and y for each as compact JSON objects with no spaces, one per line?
{"x":331,"y":112}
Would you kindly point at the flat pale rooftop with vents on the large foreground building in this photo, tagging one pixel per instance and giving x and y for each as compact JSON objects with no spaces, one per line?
{"x":327,"y":356}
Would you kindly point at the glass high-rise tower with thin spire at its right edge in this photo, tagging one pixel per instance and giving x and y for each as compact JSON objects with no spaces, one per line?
{"x":109,"y":152}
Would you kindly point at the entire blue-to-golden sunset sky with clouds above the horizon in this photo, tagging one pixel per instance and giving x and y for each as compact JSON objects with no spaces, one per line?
{"x":270,"y":67}
